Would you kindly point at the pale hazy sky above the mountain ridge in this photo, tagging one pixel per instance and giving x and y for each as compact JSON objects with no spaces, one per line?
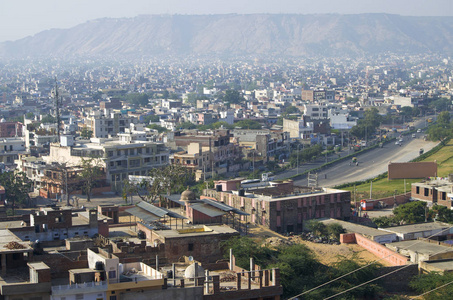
{"x":21,"y":18}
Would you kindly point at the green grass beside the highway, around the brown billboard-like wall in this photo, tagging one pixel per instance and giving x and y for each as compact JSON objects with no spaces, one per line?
{"x":385,"y":188}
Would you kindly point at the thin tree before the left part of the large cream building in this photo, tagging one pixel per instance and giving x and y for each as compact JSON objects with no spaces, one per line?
{"x":89,"y":175}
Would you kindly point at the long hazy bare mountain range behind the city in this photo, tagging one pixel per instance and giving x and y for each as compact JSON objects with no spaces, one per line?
{"x":241,"y":34}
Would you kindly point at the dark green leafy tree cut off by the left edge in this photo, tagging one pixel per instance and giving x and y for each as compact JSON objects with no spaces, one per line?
{"x":17,"y":186}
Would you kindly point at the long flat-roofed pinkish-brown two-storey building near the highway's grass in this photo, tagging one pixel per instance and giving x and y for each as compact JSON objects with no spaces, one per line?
{"x":283,"y":207}
